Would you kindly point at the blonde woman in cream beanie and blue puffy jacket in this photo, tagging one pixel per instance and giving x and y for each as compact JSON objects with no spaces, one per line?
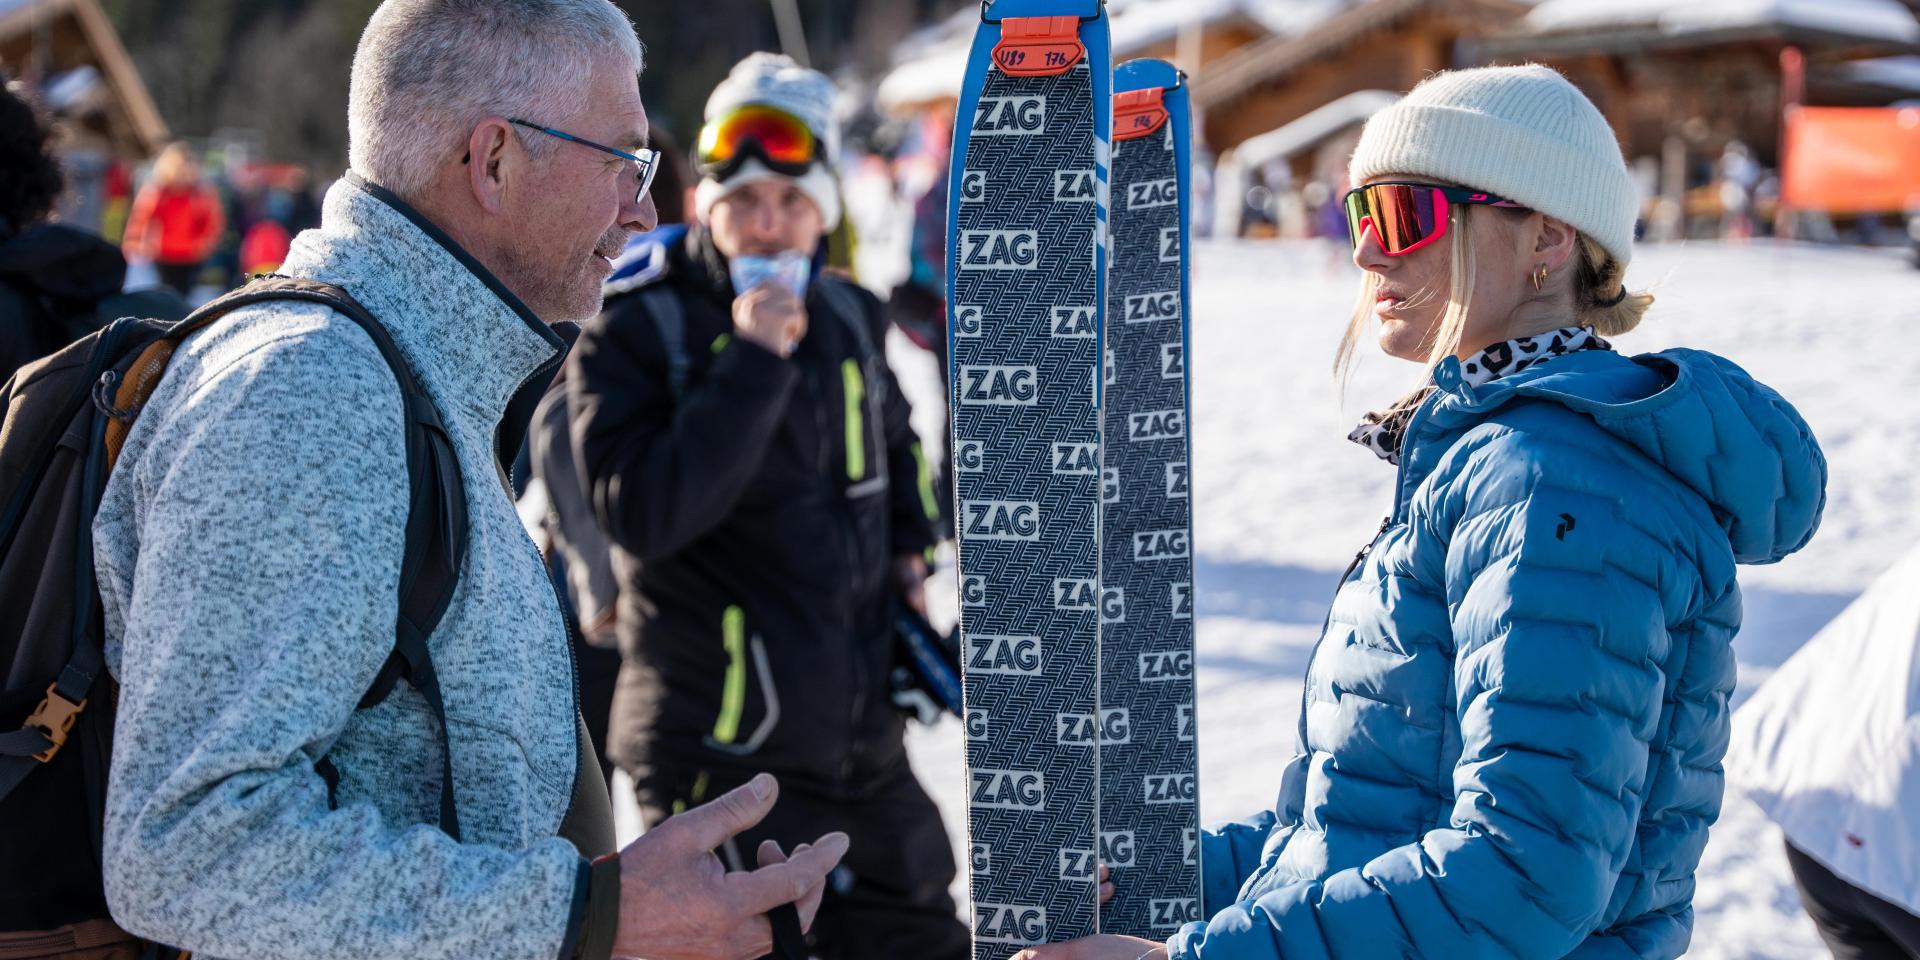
{"x":1514,"y":723}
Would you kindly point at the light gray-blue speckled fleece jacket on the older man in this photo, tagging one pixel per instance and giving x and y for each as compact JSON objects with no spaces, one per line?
{"x":249,"y":550}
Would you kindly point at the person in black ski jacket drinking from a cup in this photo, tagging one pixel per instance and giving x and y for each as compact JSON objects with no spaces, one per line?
{"x":750,"y":456}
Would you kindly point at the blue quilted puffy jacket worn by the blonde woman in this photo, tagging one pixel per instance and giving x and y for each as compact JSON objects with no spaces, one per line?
{"x":1514,"y":723}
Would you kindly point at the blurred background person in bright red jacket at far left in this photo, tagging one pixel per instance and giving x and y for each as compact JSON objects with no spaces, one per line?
{"x":176,"y":220}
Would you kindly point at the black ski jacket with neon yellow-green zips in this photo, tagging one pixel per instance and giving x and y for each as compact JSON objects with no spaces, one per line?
{"x":756,"y":514}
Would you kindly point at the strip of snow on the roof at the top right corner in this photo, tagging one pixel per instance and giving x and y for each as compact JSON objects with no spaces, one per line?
{"x":1877,"y":20}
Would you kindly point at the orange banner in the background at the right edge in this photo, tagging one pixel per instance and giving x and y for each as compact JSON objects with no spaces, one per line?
{"x":1852,"y":160}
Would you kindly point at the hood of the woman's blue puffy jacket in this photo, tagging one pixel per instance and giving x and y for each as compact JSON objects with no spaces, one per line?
{"x":1714,"y":427}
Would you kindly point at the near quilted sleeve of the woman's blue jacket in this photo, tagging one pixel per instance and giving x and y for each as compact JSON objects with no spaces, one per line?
{"x":1554,"y":581}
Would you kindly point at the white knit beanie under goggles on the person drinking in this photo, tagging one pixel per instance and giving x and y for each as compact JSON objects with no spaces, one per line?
{"x":779,"y":82}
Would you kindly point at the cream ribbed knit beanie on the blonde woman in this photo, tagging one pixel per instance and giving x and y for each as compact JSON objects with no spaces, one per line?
{"x":1522,"y":133}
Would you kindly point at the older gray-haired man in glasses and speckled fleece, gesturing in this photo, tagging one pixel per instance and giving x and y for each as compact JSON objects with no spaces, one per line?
{"x":252,"y":535}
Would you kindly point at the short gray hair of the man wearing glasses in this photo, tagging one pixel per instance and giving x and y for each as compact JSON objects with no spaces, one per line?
{"x":427,"y":72}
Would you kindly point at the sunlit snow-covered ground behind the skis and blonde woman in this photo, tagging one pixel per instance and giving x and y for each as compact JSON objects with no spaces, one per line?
{"x":1284,"y":500}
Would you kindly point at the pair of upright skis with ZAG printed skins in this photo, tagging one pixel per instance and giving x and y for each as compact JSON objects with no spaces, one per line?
{"x":1072,"y":481}
